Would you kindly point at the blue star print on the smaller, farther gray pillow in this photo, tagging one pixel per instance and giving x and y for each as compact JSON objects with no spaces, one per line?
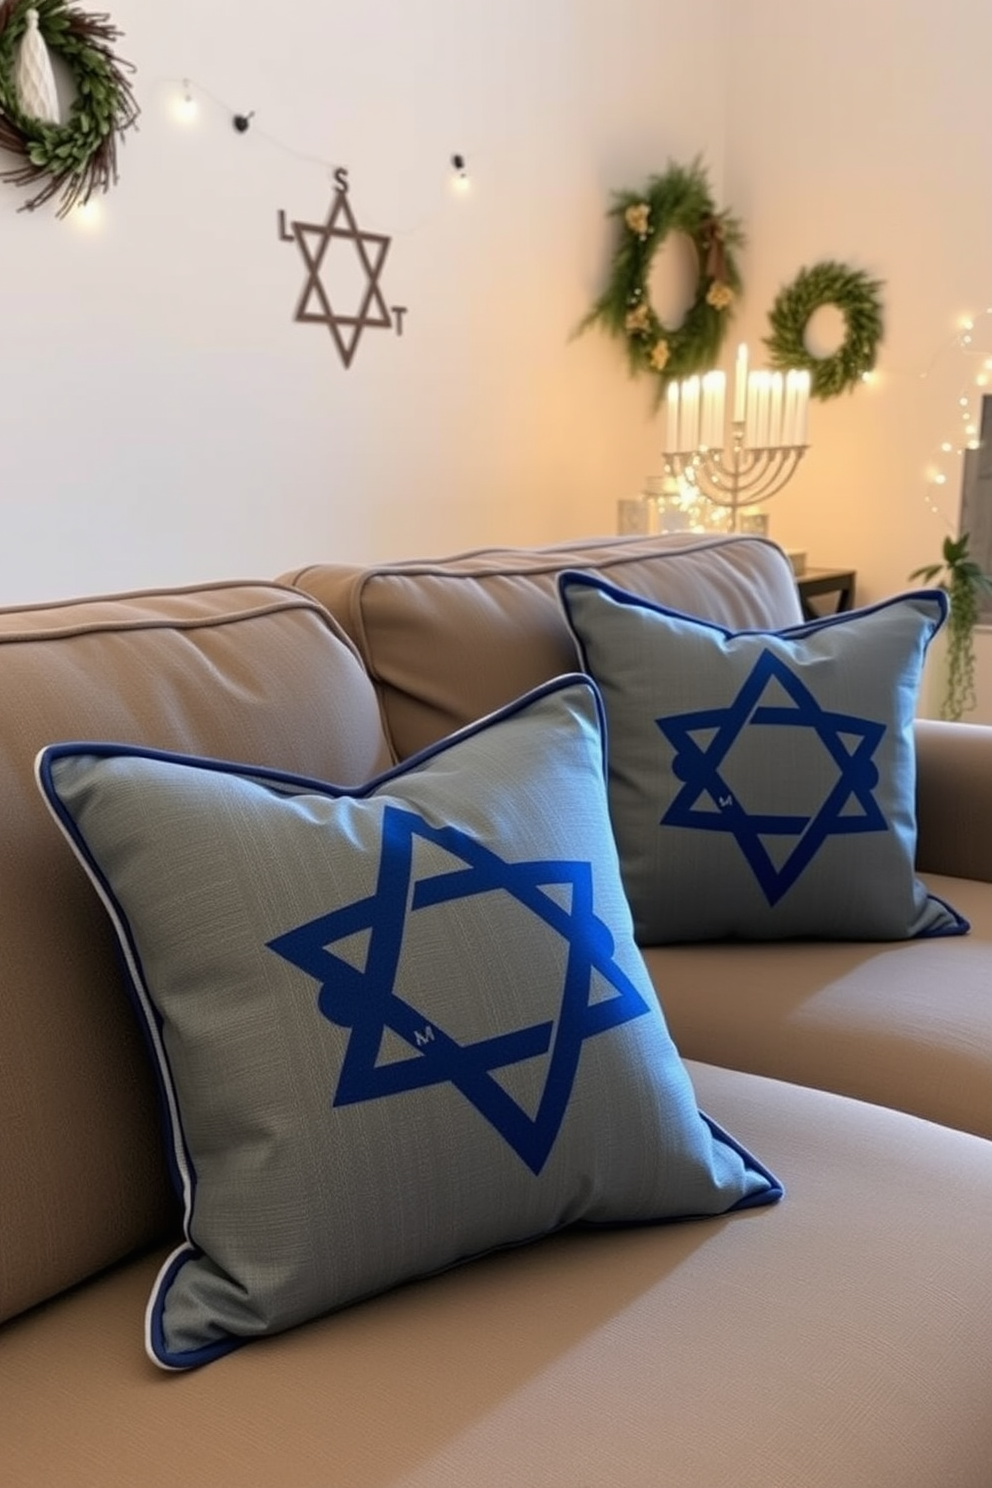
{"x":700,"y":767}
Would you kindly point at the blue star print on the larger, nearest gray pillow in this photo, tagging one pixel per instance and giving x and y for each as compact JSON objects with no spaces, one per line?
{"x":365,"y":1001}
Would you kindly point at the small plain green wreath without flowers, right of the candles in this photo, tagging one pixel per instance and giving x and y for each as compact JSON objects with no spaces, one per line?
{"x":859,"y":301}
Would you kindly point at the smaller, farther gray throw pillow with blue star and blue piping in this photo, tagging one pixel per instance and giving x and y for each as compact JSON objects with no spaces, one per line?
{"x":764,"y":783}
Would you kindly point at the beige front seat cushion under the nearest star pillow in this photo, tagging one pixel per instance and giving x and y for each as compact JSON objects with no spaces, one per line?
{"x":844,"y":1338}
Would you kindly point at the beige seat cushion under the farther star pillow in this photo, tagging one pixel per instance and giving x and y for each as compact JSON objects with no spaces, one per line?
{"x":906,"y":1024}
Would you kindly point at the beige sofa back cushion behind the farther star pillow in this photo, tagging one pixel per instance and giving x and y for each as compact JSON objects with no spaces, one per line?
{"x":453,"y":639}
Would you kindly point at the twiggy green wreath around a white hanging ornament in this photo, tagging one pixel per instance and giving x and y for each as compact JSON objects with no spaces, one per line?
{"x":81,"y":155}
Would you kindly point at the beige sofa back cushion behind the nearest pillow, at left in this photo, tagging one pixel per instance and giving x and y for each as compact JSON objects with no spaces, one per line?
{"x":248,"y":672}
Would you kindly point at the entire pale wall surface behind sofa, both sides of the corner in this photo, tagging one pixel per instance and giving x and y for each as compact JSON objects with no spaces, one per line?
{"x":163,"y":417}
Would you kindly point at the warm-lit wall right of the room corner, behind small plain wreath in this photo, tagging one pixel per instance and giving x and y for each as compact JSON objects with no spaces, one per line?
{"x":859,"y":130}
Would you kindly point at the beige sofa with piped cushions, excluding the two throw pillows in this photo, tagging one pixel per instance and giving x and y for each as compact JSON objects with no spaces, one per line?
{"x":841,"y":1337}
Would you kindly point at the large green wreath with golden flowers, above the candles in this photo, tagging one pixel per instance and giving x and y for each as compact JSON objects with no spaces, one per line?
{"x":677,"y":202}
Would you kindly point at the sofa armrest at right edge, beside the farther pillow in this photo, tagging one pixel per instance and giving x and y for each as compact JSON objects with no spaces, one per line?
{"x":954,"y":800}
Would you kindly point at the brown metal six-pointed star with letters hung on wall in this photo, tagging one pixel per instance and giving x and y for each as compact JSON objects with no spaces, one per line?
{"x":341,"y":233}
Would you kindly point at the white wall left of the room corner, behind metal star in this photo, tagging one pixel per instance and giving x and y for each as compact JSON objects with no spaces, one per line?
{"x":163,"y":419}
